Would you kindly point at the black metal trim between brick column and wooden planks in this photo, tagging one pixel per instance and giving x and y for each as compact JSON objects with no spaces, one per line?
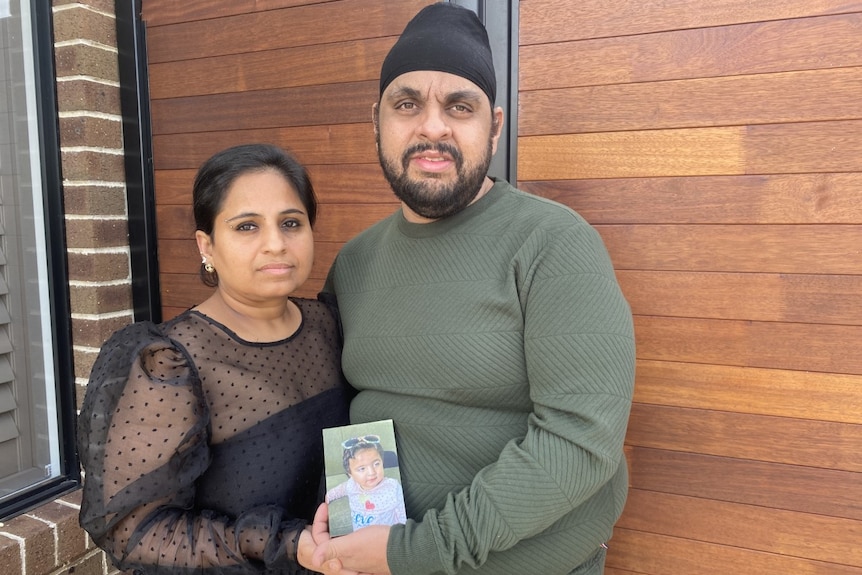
{"x":137,"y":137}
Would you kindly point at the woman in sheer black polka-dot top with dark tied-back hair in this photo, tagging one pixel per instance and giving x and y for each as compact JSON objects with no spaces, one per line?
{"x":201,"y":437}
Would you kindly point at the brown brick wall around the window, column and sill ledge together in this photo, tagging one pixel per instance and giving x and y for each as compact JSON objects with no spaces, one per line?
{"x":48,"y":540}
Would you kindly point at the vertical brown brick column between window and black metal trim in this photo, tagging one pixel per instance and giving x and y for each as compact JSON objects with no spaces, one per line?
{"x":91,"y":140}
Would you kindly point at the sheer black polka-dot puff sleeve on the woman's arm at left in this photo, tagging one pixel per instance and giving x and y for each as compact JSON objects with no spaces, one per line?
{"x":143,"y":443}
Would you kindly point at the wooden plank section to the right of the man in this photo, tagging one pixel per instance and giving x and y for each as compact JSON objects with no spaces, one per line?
{"x":717,"y":147}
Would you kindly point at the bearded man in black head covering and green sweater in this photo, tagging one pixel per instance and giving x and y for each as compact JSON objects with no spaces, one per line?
{"x":489,"y":325}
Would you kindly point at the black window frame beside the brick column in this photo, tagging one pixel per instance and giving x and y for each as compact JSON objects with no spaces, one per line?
{"x":47,"y":119}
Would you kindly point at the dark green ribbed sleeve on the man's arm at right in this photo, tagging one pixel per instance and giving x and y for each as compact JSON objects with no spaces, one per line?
{"x":579,"y":353}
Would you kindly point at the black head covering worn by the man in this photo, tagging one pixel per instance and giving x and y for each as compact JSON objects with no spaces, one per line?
{"x":445,"y":38}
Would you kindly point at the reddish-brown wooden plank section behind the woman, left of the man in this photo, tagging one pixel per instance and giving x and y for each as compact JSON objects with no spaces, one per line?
{"x":301,"y":74}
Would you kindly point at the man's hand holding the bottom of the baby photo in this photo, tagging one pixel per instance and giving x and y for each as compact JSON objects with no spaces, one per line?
{"x":363,"y":551}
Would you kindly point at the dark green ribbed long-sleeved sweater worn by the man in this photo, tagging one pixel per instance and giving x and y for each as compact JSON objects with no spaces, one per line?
{"x":500,"y":344}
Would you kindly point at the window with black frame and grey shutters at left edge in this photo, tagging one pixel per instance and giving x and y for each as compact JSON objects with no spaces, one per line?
{"x":36,"y":384}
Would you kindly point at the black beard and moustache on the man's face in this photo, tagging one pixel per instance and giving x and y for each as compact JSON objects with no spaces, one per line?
{"x":430,"y":201}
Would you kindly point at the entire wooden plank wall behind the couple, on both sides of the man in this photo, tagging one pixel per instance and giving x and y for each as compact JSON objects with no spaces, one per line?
{"x":716,"y":146}
